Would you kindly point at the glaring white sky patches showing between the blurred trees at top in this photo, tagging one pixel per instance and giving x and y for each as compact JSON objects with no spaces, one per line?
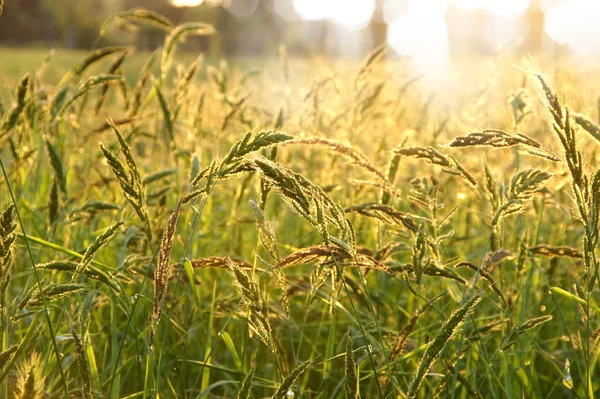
{"x":418,"y":27}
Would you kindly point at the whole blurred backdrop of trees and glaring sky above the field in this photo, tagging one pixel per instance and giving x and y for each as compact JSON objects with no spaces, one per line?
{"x":432,"y":31}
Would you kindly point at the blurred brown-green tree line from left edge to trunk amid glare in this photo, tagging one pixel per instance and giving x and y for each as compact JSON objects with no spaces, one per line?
{"x":76,"y":24}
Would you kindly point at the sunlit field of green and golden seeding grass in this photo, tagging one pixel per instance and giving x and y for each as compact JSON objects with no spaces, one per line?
{"x":176,"y":227}
